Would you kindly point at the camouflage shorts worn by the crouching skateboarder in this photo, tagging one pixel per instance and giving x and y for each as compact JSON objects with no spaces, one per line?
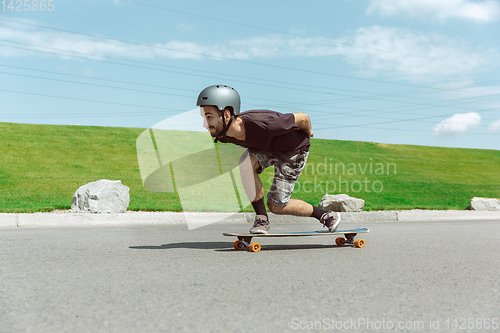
{"x":287,"y":169}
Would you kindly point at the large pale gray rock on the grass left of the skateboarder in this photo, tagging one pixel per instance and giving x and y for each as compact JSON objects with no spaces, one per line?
{"x":102,"y":196}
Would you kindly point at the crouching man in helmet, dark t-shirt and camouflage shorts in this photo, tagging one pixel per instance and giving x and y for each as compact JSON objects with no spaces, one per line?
{"x":271,"y":138}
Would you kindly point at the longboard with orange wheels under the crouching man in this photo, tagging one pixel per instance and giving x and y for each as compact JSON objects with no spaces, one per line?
{"x":245,"y":240}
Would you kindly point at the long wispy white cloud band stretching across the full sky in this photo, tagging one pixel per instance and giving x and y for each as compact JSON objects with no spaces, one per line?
{"x":376,"y":50}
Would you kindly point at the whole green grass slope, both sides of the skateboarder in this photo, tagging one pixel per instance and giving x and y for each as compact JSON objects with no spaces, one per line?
{"x":41,"y":166}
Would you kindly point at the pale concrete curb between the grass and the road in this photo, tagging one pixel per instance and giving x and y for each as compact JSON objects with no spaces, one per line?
{"x":69,"y":219}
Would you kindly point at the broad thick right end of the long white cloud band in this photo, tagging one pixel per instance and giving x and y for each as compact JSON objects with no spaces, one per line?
{"x":412,"y":55}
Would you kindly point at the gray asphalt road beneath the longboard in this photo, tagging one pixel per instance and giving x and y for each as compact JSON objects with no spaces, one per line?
{"x":409,"y":277}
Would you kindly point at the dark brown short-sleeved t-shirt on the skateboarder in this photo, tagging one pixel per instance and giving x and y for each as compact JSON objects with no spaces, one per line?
{"x":270,"y":131}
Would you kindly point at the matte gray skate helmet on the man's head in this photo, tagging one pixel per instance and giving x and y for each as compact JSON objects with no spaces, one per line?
{"x":220,"y":96}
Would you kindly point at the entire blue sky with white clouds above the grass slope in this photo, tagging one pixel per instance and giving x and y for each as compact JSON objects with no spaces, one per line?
{"x":411,"y":72}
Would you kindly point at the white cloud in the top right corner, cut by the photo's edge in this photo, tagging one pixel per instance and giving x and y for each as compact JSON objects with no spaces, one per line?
{"x":482,"y":11}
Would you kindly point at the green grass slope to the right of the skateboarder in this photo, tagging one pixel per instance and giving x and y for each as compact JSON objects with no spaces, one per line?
{"x":412,"y":176}
